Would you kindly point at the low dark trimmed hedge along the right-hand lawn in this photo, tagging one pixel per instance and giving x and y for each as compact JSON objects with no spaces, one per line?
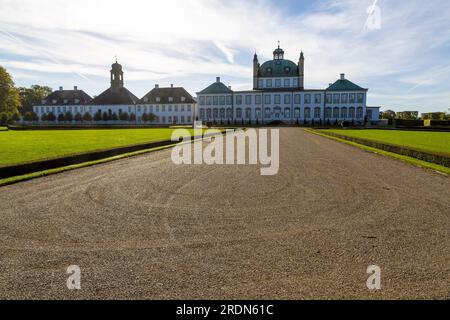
{"x":436,"y":158}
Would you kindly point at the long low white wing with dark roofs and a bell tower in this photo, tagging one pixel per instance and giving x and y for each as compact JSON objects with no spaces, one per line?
{"x":161,"y":106}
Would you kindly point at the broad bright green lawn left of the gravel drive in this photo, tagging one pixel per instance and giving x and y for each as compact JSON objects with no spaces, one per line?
{"x":25,"y":146}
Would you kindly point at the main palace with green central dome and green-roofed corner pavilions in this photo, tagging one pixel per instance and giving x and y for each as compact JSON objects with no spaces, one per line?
{"x":279,"y":96}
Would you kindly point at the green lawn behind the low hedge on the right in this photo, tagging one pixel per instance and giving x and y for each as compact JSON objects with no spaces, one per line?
{"x":422,"y":140}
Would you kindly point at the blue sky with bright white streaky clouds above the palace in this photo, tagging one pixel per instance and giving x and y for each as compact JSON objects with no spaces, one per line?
{"x":405,"y":63}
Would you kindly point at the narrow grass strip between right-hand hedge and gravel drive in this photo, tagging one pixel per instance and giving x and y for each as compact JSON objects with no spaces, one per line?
{"x":413,"y":161}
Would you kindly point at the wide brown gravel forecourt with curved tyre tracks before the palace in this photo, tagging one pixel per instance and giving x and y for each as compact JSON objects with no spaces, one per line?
{"x":143,"y":228}
